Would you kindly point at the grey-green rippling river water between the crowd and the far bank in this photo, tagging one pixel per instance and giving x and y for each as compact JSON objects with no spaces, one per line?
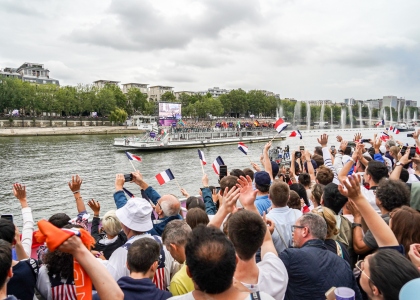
{"x":46,"y":164}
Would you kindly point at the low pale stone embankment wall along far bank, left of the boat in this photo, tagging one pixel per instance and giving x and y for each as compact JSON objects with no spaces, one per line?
{"x":77,"y":130}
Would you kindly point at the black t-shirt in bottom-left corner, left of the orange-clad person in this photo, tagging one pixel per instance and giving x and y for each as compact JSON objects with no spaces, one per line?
{"x":22,"y":284}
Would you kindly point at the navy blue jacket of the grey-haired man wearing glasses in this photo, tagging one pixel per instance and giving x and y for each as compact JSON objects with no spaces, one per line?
{"x":313,"y":270}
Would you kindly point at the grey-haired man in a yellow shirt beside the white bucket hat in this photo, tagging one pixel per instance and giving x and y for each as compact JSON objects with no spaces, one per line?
{"x":175,"y":238}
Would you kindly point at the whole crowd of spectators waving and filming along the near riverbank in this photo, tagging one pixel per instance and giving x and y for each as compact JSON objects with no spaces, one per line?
{"x":348,"y":218}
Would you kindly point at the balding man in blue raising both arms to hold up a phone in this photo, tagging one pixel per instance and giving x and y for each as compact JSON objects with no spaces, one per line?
{"x":167,"y":207}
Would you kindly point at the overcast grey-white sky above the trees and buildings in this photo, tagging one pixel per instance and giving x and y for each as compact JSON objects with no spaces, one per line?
{"x":306,"y":49}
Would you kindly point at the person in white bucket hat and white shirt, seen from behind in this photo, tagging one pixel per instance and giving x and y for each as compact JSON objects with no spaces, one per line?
{"x":135,"y":217}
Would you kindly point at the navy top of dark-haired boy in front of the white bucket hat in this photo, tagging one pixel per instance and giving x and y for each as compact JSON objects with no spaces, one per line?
{"x":139,"y":289}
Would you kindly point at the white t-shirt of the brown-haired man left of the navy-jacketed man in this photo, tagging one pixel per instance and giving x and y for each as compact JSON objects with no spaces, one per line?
{"x":272,"y":277}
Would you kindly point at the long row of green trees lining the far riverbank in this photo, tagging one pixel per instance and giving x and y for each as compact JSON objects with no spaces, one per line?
{"x":82,"y":99}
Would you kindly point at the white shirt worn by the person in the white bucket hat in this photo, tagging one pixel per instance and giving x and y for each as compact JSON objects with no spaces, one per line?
{"x":116,"y":264}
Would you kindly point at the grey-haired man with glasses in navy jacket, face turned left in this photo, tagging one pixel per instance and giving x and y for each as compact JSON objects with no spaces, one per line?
{"x":312,"y":269}
